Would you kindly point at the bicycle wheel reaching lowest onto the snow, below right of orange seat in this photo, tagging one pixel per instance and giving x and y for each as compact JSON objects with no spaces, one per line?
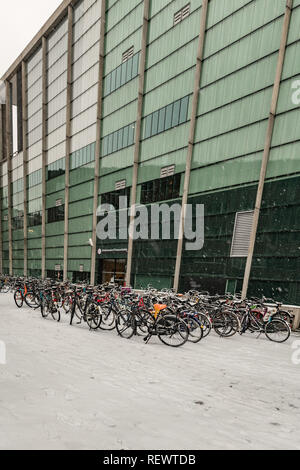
{"x":172,"y":331}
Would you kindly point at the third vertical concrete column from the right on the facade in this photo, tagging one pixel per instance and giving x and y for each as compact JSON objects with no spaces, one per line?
{"x":138,"y":127}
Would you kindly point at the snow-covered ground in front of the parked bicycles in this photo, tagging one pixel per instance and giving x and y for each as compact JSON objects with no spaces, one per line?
{"x":68,"y":388}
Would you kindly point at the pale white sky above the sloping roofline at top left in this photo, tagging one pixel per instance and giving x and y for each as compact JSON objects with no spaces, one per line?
{"x":20,"y":20}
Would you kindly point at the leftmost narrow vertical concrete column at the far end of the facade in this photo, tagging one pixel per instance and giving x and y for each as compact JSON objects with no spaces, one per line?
{"x":9,"y":170}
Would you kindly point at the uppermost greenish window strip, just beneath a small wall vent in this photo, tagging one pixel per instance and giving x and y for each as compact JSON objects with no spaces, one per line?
{"x":118,"y":77}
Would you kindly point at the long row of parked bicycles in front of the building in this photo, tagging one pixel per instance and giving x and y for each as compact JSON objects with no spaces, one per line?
{"x":173,"y":318}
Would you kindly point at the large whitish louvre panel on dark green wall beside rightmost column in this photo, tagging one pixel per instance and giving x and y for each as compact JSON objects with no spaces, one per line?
{"x":241,"y":235}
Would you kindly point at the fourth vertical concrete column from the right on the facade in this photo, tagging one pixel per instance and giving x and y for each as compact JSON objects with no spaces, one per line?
{"x":98,"y":138}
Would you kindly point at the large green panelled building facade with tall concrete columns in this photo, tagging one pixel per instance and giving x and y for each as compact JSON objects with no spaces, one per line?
{"x":159,"y":101}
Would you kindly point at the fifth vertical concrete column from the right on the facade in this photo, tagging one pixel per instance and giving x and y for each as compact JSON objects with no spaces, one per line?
{"x":68,"y":138}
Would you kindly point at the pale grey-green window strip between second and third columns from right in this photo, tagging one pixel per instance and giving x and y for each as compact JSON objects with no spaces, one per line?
{"x":166,"y":118}
